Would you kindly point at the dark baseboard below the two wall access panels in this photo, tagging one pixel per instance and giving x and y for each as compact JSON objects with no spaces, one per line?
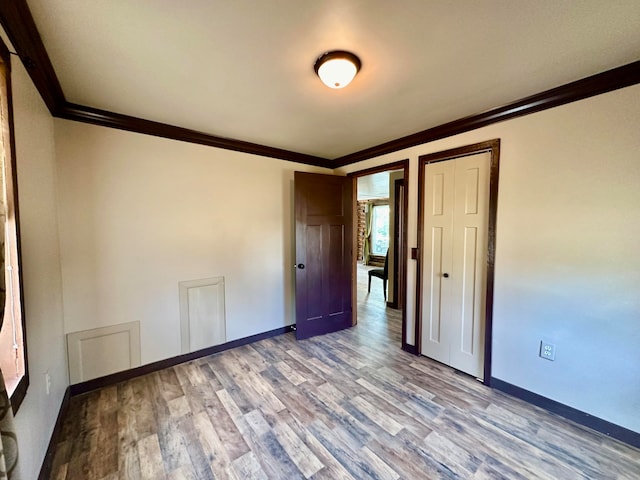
{"x":112,"y":379}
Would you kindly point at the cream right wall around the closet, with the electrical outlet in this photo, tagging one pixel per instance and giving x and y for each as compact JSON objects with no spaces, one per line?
{"x":567,"y":269}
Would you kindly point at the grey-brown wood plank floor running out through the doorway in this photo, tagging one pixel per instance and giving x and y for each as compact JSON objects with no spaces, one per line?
{"x":349,"y":405}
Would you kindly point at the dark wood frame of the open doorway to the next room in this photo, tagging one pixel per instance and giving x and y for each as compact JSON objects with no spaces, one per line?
{"x":402,"y":265}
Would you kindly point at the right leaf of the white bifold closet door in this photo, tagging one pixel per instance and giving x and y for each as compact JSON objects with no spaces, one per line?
{"x":469,"y":257}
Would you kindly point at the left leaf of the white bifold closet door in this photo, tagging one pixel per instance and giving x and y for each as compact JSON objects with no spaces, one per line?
{"x":436,"y":259}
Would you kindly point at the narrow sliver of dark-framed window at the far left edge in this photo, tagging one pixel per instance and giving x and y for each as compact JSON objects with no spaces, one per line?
{"x":13,"y":359}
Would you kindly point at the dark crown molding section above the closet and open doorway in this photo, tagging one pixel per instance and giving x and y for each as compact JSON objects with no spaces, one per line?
{"x":608,"y":81}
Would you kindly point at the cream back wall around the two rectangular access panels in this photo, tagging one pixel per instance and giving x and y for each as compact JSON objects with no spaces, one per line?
{"x":138,"y":214}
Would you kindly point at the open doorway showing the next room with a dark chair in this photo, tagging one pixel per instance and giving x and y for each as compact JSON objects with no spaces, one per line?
{"x":380,"y":251}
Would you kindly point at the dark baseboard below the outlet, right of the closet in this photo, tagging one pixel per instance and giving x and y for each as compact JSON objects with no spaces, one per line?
{"x":603,"y":426}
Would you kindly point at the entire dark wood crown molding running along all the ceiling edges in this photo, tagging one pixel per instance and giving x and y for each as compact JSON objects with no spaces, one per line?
{"x":18,"y":22}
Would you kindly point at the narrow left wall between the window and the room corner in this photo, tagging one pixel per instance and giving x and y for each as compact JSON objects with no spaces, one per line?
{"x":36,"y":171}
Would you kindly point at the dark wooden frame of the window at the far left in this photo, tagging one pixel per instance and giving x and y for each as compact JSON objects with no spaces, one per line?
{"x":7,"y":130}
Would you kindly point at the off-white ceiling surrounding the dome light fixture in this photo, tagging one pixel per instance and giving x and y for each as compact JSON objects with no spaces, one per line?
{"x":243,"y":69}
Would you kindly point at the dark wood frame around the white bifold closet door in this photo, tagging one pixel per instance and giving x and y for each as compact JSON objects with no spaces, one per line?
{"x":493,"y":147}
